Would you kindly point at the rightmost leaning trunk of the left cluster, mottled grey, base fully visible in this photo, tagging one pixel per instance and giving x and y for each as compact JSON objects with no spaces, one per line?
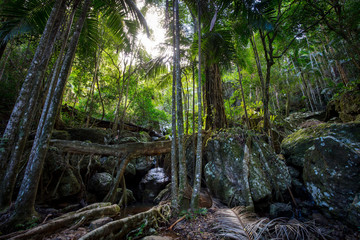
{"x":24,"y":205}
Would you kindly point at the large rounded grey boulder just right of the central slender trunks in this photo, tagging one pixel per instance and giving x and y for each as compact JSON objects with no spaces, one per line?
{"x":241,"y":170}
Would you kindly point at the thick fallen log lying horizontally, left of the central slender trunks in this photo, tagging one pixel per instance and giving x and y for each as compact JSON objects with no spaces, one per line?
{"x":134,"y":149}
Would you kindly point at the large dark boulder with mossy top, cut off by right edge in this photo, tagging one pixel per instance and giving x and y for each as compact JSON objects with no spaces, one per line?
{"x":330,"y":157}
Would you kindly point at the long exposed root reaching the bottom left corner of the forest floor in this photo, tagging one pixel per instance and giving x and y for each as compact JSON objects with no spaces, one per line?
{"x":71,"y":219}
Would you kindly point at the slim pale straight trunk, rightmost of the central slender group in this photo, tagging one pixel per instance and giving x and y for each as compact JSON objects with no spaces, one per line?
{"x":198,"y":167}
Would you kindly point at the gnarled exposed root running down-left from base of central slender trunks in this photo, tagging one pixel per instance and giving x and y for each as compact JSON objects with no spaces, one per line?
{"x":120,"y":228}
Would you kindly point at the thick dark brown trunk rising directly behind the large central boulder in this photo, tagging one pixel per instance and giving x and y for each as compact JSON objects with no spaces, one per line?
{"x":215,"y":110}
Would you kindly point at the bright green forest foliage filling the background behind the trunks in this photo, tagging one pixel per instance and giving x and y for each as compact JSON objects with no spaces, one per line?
{"x":114,"y":78}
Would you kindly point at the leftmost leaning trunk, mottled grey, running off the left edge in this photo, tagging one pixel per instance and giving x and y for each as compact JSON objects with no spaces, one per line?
{"x":35,"y":73}
